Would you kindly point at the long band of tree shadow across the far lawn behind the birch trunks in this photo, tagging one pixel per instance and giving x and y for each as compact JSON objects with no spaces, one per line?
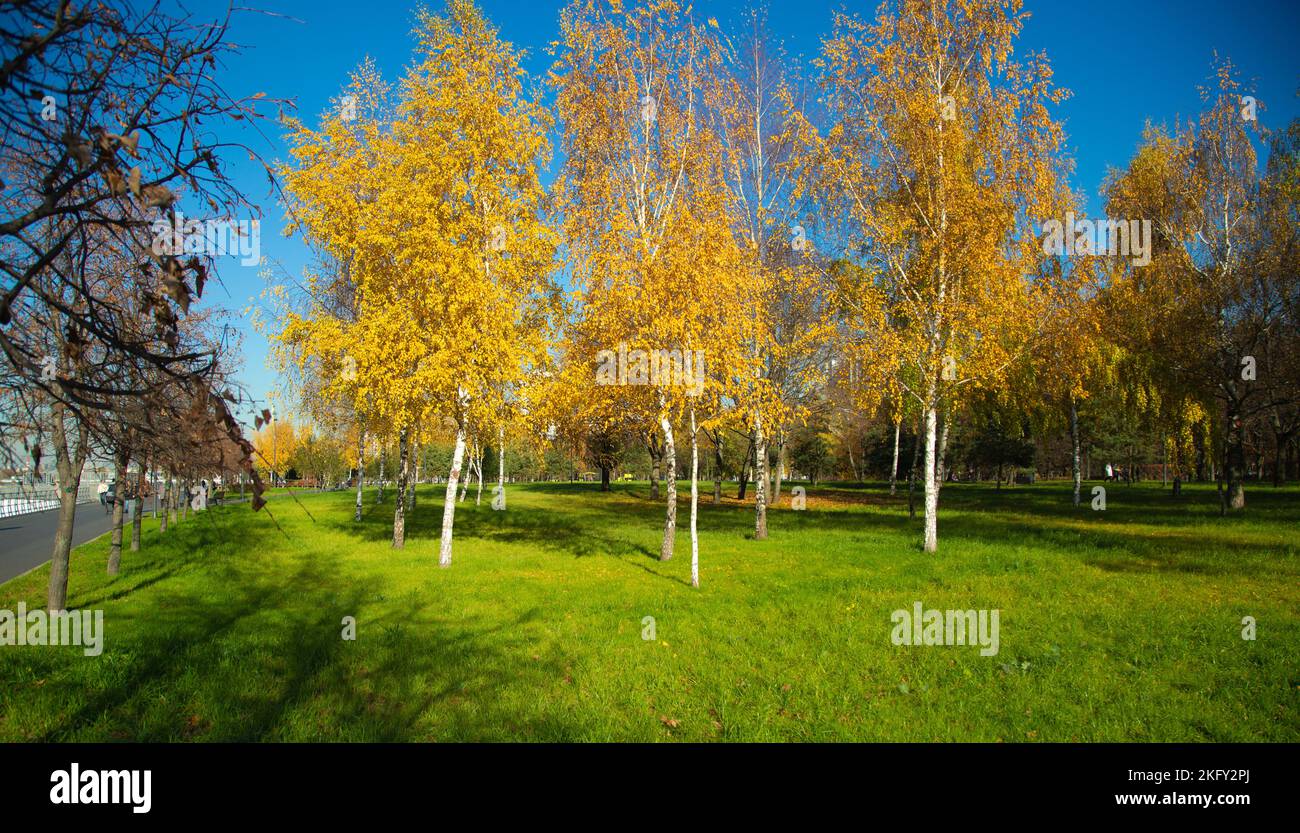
{"x":1143,"y":531}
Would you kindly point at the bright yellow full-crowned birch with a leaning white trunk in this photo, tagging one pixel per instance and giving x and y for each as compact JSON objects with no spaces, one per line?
{"x":440,"y":220}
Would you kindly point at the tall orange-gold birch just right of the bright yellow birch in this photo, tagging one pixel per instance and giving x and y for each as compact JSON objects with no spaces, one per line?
{"x":630,"y":86}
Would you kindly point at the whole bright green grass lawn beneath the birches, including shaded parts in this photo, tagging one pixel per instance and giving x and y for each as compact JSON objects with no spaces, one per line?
{"x":1117,"y":626}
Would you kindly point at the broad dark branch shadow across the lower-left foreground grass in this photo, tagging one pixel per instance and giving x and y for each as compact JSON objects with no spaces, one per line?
{"x":249,"y":649}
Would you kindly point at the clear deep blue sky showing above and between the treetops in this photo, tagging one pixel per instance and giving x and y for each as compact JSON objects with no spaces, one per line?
{"x":1126,"y":62}
